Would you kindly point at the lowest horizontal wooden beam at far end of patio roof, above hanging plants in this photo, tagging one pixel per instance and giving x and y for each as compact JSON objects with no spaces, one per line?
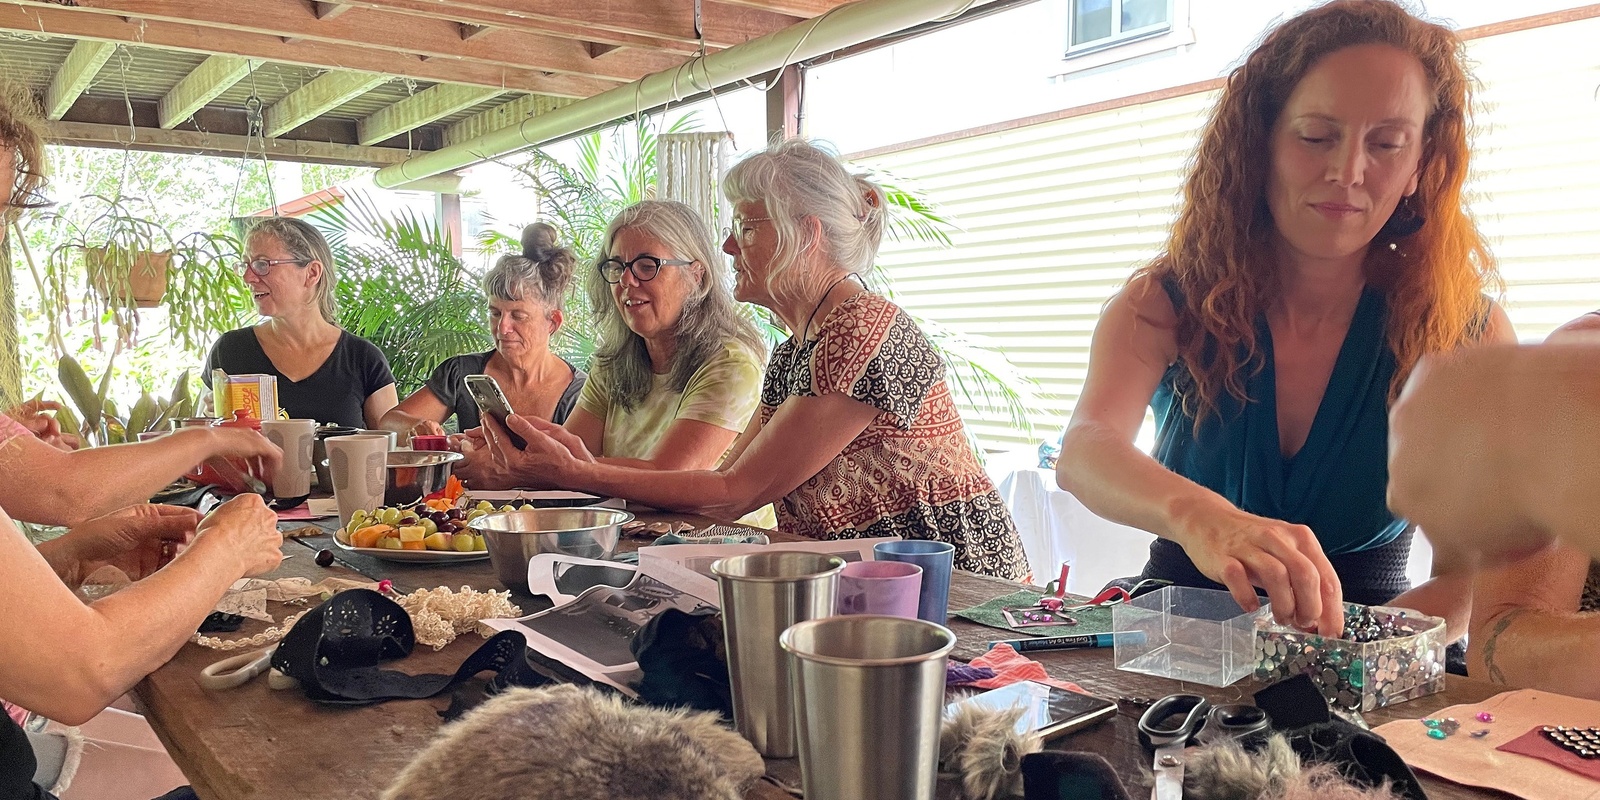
{"x":220,"y":145}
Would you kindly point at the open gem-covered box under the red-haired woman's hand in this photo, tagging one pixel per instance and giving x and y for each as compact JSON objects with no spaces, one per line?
{"x":1359,"y":676}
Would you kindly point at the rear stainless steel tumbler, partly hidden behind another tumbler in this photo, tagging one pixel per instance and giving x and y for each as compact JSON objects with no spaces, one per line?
{"x":762,"y":594}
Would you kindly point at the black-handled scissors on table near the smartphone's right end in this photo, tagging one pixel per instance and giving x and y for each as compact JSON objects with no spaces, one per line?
{"x":1196,"y":722}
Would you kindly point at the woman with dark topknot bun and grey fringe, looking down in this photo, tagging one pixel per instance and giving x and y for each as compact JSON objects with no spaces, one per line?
{"x":526,"y":297}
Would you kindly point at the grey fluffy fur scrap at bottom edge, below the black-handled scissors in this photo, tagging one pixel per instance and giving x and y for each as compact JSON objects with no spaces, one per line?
{"x":1228,"y":772}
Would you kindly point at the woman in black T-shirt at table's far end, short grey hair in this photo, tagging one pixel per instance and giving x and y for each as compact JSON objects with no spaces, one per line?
{"x":324,"y":372}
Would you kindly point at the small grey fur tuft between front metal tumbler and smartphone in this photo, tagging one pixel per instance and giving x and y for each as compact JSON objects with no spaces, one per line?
{"x":983,"y":750}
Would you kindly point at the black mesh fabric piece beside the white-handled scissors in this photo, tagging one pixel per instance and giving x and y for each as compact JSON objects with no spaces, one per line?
{"x":334,"y":652}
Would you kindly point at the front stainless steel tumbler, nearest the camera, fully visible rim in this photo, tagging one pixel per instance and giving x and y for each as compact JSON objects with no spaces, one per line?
{"x":870,"y":697}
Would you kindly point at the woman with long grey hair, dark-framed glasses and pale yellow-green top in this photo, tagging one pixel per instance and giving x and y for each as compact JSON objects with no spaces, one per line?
{"x":678,"y":370}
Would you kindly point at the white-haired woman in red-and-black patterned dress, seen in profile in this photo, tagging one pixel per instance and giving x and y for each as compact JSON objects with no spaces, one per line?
{"x":857,"y":433}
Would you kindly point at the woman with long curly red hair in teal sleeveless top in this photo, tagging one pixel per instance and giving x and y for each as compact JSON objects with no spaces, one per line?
{"x":1321,"y":250}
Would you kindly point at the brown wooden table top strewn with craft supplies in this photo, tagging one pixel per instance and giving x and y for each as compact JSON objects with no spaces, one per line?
{"x":260,"y":745}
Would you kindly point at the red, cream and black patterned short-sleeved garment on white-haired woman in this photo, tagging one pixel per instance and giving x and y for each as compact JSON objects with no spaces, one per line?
{"x":911,"y":473}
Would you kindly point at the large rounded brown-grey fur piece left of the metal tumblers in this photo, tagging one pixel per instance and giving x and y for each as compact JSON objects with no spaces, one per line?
{"x":569,"y":743}
